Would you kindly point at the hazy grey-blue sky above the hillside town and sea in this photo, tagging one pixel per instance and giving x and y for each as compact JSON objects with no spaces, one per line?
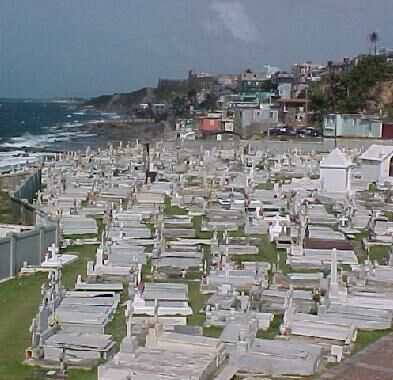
{"x":64,"y":48}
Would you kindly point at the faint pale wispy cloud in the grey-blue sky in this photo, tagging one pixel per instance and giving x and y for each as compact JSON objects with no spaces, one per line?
{"x":231,"y":16}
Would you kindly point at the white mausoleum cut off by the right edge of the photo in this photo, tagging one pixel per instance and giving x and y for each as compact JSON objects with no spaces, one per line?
{"x":377,"y":163}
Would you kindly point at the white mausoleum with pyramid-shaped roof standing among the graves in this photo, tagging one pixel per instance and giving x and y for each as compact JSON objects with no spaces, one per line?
{"x":335,"y":172}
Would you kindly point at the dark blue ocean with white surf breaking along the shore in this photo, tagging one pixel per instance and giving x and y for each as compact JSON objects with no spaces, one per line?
{"x":29,"y":124}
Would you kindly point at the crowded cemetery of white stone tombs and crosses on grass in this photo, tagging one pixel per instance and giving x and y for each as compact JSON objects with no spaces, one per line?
{"x":177,"y":261}
